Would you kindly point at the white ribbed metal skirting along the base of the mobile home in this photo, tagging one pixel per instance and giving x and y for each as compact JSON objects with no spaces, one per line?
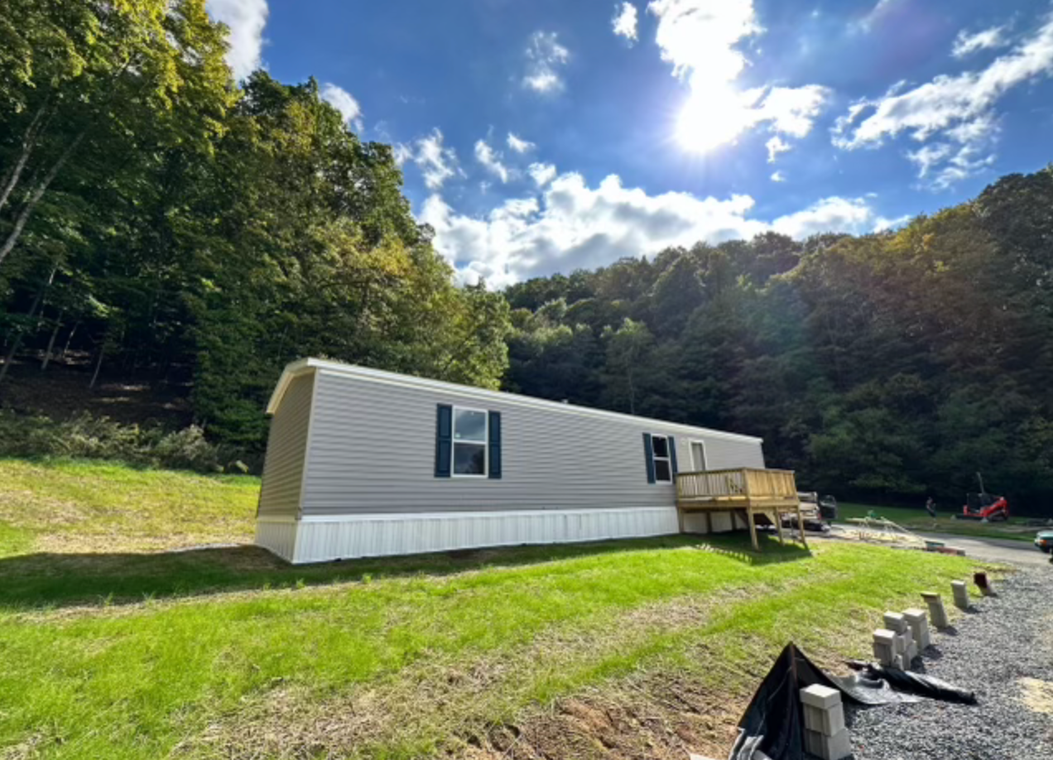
{"x":321,"y":539}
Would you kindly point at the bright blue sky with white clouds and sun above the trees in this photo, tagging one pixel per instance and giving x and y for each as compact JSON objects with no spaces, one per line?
{"x":548,"y":136}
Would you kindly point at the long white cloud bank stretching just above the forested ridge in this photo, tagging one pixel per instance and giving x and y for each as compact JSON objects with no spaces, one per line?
{"x":573,"y":226}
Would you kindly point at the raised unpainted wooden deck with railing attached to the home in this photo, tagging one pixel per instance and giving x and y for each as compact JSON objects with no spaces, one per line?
{"x":746,"y":492}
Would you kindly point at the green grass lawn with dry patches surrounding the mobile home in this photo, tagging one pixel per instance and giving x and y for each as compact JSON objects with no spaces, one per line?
{"x":113,"y":652}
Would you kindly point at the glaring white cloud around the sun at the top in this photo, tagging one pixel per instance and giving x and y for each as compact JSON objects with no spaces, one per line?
{"x":702,"y":39}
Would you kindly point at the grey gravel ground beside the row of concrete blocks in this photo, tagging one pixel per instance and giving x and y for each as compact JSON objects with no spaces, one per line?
{"x":1008,"y":638}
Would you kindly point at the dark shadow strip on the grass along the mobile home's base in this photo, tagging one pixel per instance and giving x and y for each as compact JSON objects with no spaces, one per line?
{"x":58,"y":581}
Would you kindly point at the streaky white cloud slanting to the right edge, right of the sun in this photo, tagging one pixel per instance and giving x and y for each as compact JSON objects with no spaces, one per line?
{"x":961,"y":109}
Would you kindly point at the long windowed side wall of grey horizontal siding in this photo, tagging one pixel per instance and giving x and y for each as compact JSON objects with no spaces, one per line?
{"x":373,"y":452}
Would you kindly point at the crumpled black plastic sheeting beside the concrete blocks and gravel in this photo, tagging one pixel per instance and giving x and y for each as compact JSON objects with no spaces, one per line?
{"x":773,"y":724}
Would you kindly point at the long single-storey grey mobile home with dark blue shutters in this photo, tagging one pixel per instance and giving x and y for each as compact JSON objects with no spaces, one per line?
{"x":363,"y":463}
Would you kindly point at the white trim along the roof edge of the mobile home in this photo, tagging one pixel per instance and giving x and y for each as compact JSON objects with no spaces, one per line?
{"x":332,"y":368}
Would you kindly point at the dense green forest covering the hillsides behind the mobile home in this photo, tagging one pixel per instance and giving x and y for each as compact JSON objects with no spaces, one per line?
{"x":164,"y":225}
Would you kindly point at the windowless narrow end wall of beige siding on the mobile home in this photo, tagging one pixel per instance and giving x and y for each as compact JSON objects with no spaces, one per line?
{"x":286,"y":451}
